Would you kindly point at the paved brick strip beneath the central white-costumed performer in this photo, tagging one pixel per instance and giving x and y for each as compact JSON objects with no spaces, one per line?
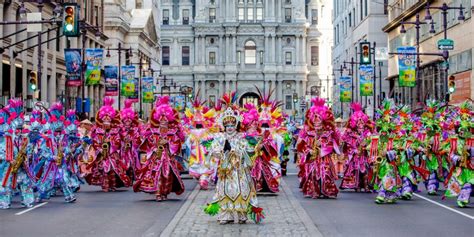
{"x":284,"y":217}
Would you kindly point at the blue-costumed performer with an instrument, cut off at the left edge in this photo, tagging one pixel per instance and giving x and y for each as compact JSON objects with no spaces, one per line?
{"x":15,"y":170}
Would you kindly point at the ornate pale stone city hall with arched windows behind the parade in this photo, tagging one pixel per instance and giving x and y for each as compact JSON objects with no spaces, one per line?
{"x":226,"y":45}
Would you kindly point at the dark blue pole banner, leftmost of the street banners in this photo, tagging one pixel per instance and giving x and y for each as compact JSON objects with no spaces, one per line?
{"x":73,"y":66}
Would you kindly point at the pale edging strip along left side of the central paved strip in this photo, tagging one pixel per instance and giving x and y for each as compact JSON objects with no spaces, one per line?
{"x":154,"y":231}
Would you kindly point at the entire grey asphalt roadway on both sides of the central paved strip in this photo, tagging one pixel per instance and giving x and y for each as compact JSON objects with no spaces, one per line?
{"x":125,"y":213}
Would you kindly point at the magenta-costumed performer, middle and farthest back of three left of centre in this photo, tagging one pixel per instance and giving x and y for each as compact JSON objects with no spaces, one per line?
{"x":130,"y":137}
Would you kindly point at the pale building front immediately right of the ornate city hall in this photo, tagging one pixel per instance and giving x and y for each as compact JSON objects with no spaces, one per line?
{"x":355,"y":22}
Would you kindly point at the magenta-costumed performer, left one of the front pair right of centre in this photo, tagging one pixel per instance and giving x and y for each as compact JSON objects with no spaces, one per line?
{"x":318,"y":140}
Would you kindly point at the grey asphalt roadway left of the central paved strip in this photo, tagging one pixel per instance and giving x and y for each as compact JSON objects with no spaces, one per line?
{"x":95,"y":213}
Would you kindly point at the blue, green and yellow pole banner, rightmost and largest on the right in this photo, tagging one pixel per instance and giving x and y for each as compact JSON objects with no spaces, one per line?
{"x":406,"y":66}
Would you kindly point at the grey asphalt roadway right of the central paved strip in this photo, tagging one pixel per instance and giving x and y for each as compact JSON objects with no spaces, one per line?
{"x":356,"y":214}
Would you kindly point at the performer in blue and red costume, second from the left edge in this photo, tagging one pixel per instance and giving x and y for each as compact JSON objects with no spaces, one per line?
{"x":55,"y":173}
